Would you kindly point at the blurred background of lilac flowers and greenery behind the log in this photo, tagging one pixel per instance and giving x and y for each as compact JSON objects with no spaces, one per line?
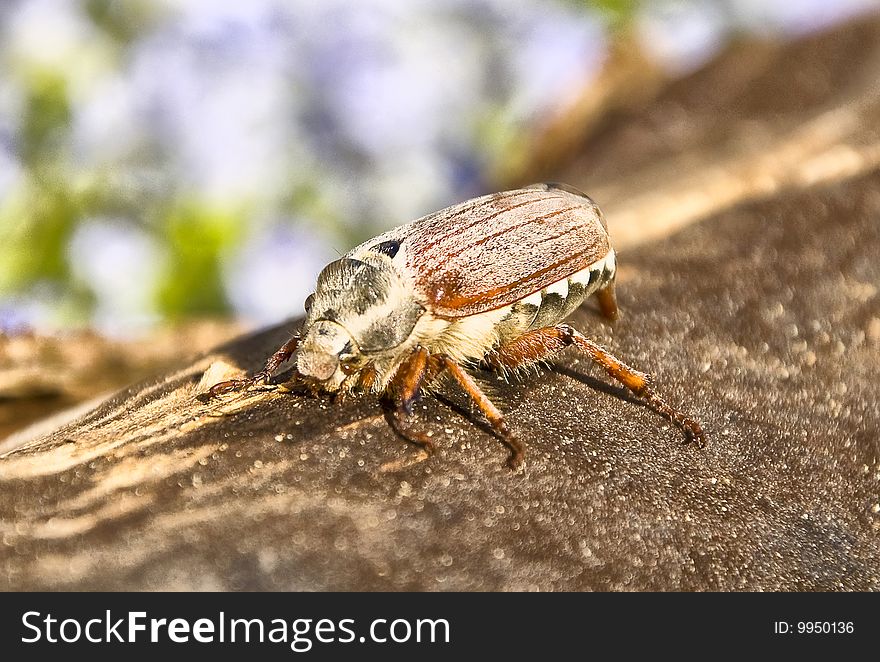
{"x":164,"y":162}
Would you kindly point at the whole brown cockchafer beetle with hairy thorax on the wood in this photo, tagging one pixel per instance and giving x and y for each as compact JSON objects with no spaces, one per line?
{"x":484,"y":282}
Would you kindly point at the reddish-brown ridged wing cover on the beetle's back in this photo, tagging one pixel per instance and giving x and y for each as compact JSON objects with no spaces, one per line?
{"x":492,"y":251}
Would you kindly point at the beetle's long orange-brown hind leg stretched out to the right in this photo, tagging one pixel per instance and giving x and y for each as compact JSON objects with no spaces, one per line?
{"x":543,"y":343}
